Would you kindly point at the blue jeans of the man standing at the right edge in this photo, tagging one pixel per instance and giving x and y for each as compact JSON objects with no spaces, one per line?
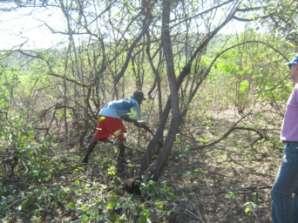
{"x":285,"y":184}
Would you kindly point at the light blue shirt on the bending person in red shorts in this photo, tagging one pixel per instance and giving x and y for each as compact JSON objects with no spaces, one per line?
{"x":118,"y":108}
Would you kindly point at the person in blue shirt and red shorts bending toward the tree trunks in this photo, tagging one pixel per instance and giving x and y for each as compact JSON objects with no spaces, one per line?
{"x":110,"y":125}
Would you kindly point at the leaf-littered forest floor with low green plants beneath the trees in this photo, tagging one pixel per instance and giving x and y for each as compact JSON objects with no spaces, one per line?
{"x":227,"y":182}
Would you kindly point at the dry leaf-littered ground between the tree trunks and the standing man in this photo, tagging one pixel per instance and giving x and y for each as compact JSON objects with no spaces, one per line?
{"x":229,"y":181}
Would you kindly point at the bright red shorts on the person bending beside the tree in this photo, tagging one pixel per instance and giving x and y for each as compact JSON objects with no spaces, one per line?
{"x":109,"y":128}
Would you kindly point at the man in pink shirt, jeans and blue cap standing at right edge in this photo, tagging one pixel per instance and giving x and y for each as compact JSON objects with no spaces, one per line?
{"x":284,"y":192}
